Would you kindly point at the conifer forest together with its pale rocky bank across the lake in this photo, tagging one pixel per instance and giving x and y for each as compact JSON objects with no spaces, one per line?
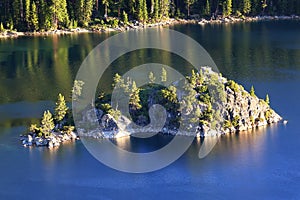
{"x":41,"y":17}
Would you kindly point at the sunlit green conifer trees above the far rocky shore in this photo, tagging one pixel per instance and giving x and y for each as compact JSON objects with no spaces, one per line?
{"x":38,"y":15}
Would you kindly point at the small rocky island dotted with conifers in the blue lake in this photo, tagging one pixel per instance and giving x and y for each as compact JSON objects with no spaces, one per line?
{"x":212,"y":105}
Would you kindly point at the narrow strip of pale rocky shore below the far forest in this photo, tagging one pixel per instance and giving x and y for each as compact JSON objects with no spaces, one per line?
{"x":137,"y":25}
